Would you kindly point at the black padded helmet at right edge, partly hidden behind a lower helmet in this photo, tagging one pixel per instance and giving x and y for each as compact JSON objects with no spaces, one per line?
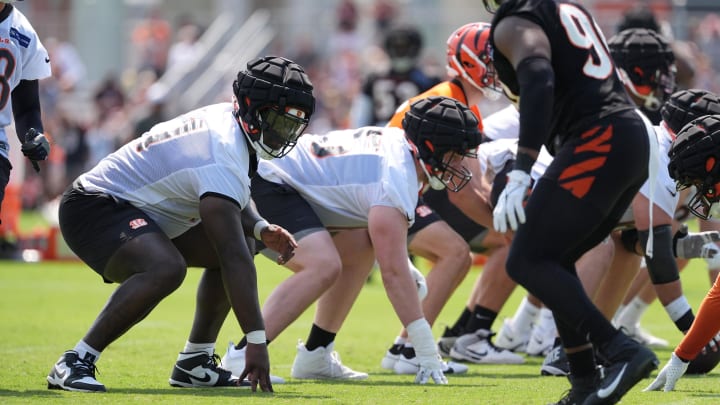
{"x":686,"y":105}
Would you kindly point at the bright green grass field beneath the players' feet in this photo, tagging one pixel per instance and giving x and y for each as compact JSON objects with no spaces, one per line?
{"x":45,"y":308}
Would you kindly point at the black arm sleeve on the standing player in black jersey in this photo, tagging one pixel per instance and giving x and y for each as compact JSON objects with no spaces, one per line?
{"x":537,"y":83}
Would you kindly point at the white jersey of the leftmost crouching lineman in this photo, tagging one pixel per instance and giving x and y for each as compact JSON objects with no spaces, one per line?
{"x":167,"y":170}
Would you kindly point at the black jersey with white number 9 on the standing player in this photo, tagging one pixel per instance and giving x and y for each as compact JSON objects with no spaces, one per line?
{"x":587,"y":86}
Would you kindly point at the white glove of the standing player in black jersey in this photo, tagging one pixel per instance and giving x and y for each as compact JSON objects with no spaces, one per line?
{"x":509,"y":208}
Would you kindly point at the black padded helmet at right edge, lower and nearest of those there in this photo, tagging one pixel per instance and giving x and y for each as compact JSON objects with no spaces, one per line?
{"x":695,"y":161}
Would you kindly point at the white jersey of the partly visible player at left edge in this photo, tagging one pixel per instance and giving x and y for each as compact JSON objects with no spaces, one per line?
{"x":22,"y":57}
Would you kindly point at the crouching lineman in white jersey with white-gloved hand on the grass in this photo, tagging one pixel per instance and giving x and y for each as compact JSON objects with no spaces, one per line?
{"x":359,"y":178}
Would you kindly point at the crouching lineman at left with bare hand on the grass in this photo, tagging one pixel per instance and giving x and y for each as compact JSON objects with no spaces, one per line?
{"x":179,"y":197}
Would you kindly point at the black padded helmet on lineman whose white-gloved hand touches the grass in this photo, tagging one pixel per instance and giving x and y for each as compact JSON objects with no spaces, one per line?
{"x":444,"y":131}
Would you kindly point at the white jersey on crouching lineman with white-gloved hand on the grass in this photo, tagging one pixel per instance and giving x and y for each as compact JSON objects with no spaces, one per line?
{"x":343,"y":174}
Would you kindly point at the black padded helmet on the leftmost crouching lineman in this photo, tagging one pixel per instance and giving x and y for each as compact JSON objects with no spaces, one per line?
{"x":274,"y":104}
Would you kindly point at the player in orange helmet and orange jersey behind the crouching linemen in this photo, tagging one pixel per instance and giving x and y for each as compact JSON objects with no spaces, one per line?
{"x":438,"y":233}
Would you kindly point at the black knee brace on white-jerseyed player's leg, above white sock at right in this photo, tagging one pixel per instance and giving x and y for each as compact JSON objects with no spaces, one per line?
{"x":661,"y":267}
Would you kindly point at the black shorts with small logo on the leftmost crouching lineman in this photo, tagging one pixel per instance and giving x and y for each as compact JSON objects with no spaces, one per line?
{"x":95,"y":225}
